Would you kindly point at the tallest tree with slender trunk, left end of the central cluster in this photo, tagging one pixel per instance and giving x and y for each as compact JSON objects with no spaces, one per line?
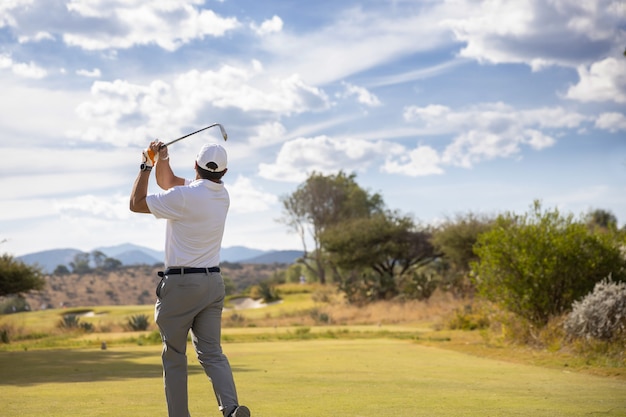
{"x":322,"y":202}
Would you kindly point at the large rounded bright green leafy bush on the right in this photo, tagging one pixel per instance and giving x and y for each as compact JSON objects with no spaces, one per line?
{"x":537,"y":264}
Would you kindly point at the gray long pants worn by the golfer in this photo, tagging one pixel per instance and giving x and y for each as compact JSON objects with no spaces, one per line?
{"x":193,"y":302}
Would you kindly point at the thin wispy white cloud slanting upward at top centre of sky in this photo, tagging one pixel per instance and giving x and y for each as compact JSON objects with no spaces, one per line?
{"x":356,"y":40}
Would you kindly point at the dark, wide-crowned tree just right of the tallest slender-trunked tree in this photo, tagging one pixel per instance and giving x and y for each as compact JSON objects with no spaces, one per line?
{"x":375,"y":253}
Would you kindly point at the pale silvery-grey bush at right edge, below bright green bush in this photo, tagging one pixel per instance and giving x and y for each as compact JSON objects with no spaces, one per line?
{"x":601,"y":314}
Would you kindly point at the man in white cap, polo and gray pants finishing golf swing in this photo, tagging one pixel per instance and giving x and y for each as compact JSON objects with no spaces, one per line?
{"x":190,"y":295}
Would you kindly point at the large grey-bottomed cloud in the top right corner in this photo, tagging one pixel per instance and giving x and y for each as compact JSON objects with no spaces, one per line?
{"x":539,"y":32}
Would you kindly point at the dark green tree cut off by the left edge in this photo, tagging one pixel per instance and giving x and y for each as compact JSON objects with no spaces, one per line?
{"x":16,"y":277}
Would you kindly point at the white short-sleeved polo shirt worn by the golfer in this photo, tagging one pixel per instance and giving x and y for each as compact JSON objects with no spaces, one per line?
{"x":196,"y":214}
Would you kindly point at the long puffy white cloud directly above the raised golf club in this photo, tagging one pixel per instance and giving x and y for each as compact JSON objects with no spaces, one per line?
{"x":121,"y":112}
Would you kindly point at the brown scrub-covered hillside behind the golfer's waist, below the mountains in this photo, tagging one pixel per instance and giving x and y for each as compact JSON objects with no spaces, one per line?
{"x":128,"y":286}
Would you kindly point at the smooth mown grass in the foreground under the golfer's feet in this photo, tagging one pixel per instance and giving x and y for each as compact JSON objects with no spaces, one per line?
{"x":359,"y":378}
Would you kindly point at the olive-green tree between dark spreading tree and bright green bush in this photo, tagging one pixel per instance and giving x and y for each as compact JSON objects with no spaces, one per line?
{"x":455,"y":238}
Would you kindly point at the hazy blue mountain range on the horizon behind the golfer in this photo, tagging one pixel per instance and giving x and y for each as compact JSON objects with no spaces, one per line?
{"x":129,"y":254}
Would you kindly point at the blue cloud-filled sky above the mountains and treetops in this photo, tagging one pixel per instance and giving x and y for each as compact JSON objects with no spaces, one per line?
{"x":443,"y":107}
